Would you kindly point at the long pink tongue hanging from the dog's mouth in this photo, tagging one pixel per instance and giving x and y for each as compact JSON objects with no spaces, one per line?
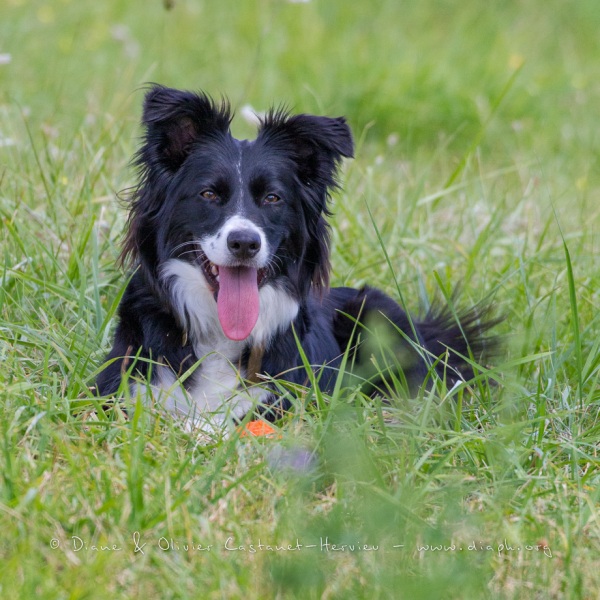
{"x":237,"y":301}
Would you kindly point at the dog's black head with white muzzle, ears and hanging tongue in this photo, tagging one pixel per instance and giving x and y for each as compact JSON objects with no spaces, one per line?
{"x":243,"y":212}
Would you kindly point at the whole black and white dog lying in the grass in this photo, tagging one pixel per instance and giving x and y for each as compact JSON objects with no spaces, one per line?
{"x":230,"y":253}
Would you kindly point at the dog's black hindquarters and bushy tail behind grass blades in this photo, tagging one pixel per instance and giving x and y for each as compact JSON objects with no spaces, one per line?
{"x":387,"y":345}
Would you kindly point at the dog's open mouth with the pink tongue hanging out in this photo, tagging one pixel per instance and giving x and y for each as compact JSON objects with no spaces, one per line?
{"x":236,"y":291}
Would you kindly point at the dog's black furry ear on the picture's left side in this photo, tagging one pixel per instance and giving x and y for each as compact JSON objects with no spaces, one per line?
{"x":174,"y":121}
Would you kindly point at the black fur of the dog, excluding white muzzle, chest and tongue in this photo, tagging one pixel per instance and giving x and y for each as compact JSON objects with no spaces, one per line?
{"x":188,"y":149}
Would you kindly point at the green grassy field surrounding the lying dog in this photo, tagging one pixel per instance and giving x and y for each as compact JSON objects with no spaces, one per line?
{"x":478,"y":159}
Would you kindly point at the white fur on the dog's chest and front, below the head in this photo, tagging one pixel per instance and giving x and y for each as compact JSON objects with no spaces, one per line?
{"x":217,"y":389}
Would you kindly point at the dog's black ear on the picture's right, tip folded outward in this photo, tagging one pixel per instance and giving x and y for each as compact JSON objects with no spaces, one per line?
{"x":317,"y":144}
